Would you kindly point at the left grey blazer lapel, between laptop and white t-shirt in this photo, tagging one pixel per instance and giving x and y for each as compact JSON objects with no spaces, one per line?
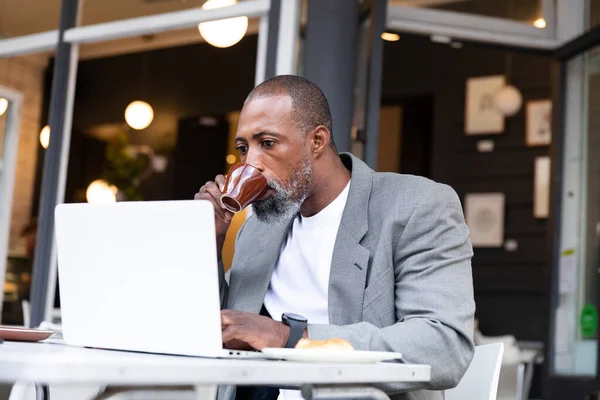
{"x":251,"y":277}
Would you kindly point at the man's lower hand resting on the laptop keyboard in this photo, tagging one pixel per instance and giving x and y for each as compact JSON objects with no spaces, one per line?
{"x":242,"y":330}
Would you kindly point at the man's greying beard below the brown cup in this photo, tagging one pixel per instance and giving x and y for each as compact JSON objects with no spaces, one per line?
{"x":286,"y":202}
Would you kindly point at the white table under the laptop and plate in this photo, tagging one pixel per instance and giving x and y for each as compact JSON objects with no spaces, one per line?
{"x":55,"y":363}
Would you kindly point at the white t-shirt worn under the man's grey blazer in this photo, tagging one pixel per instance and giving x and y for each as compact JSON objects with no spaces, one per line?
{"x":300,"y":280}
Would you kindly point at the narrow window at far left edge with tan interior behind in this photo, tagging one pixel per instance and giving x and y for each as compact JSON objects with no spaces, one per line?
{"x":25,"y":76}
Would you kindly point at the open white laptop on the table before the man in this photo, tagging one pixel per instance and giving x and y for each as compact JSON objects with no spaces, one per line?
{"x":141,"y":276}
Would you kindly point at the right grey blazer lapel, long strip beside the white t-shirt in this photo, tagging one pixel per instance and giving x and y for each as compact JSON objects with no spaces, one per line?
{"x":350,"y":262}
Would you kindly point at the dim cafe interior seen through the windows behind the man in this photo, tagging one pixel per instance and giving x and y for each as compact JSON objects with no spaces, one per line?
{"x":155,"y":116}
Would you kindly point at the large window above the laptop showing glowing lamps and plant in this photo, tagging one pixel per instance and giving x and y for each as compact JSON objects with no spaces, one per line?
{"x":154,"y":120}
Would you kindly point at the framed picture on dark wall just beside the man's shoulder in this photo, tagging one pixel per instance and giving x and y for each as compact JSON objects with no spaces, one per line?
{"x":484,"y":213}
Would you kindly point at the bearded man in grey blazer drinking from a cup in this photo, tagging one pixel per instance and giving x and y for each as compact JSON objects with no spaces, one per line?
{"x":336,"y":250}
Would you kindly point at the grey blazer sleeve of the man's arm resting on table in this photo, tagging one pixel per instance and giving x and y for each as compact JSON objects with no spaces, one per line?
{"x":433,"y":295}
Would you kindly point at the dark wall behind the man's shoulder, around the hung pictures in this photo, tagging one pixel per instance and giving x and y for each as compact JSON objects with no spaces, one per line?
{"x":511,"y":288}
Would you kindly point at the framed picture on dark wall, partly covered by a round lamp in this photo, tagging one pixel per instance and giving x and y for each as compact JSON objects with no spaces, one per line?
{"x":481,"y":115}
